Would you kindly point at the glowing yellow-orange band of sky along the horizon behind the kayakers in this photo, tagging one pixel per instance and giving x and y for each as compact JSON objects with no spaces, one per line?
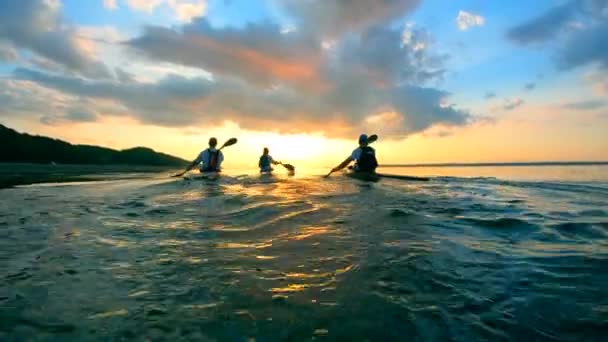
{"x":526,"y":134}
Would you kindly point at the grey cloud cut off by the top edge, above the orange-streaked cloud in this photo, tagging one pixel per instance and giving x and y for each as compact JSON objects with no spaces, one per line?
{"x":331,"y":19}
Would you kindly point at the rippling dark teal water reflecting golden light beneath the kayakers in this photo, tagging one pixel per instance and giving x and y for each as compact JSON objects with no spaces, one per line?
{"x":476,"y":254}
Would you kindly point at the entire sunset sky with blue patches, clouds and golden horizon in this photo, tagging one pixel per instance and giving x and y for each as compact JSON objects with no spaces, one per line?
{"x":438,"y":81}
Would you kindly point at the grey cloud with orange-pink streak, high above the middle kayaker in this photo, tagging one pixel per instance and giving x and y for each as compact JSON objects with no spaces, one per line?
{"x":259,"y":53}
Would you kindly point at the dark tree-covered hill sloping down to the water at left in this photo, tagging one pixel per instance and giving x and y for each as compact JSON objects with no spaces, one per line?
{"x":24,"y":148}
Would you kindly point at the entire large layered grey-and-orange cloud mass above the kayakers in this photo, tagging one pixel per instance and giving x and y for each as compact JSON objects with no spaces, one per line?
{"x":263,"y":78}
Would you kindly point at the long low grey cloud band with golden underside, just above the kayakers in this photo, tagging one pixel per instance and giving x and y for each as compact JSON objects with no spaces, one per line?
{"x":177,"y":101}
